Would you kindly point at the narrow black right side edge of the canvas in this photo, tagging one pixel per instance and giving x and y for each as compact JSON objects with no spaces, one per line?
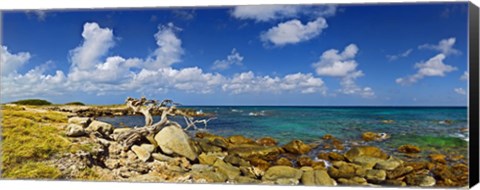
{"x":473,"y":50}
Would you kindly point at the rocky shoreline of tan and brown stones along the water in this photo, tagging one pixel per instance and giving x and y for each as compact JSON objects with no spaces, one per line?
{"x":180,"y":157}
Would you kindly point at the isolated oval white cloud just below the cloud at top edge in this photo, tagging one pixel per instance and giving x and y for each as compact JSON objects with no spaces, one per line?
{"x":293,"y":31}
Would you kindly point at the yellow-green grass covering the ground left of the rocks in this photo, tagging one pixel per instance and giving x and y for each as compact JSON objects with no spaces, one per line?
{"x":31,"y":138}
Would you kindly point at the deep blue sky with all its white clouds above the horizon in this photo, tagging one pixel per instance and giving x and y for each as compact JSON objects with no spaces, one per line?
{"x":408,"y":54}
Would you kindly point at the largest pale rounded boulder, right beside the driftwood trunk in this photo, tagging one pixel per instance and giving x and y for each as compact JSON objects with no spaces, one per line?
{"x":172,"y":139}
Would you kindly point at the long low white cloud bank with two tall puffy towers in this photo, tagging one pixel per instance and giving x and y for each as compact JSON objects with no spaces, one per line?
{"x":91,"y":71}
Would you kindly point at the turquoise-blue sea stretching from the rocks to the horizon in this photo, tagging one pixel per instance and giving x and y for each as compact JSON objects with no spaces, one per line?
{"x":432,"y":128}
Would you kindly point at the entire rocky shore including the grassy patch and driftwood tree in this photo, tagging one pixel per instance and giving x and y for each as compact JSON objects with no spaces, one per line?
{"x":68,"y":142}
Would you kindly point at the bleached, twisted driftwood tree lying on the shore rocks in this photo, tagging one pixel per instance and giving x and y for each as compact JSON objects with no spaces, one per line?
{"x":145,"y":107}
